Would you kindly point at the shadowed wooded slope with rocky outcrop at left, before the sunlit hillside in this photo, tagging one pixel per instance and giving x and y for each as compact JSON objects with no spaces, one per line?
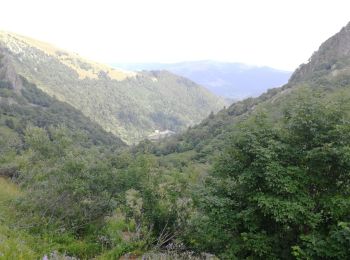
{"x":22,"y":104}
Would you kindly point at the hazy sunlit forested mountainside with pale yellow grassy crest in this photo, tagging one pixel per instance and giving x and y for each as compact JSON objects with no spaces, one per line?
{"x":130,"y":105}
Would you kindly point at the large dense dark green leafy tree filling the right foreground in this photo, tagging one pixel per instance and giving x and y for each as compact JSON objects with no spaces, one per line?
{"x":275,"y":192}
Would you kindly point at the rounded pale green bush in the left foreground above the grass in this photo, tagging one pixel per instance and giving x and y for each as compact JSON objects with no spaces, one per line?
{"x":64,"y":182}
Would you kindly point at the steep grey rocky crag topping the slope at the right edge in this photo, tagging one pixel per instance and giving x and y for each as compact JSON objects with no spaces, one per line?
{"x":333,"y":57}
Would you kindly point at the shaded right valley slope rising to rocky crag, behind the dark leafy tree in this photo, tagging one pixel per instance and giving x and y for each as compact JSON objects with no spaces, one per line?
{"x":326,"y":75}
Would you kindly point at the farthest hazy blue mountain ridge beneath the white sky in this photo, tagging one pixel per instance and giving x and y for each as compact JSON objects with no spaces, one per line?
{"x":231,"y":80}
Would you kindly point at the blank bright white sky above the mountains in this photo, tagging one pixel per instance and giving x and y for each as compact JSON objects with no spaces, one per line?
{"x":276,"y":33}
